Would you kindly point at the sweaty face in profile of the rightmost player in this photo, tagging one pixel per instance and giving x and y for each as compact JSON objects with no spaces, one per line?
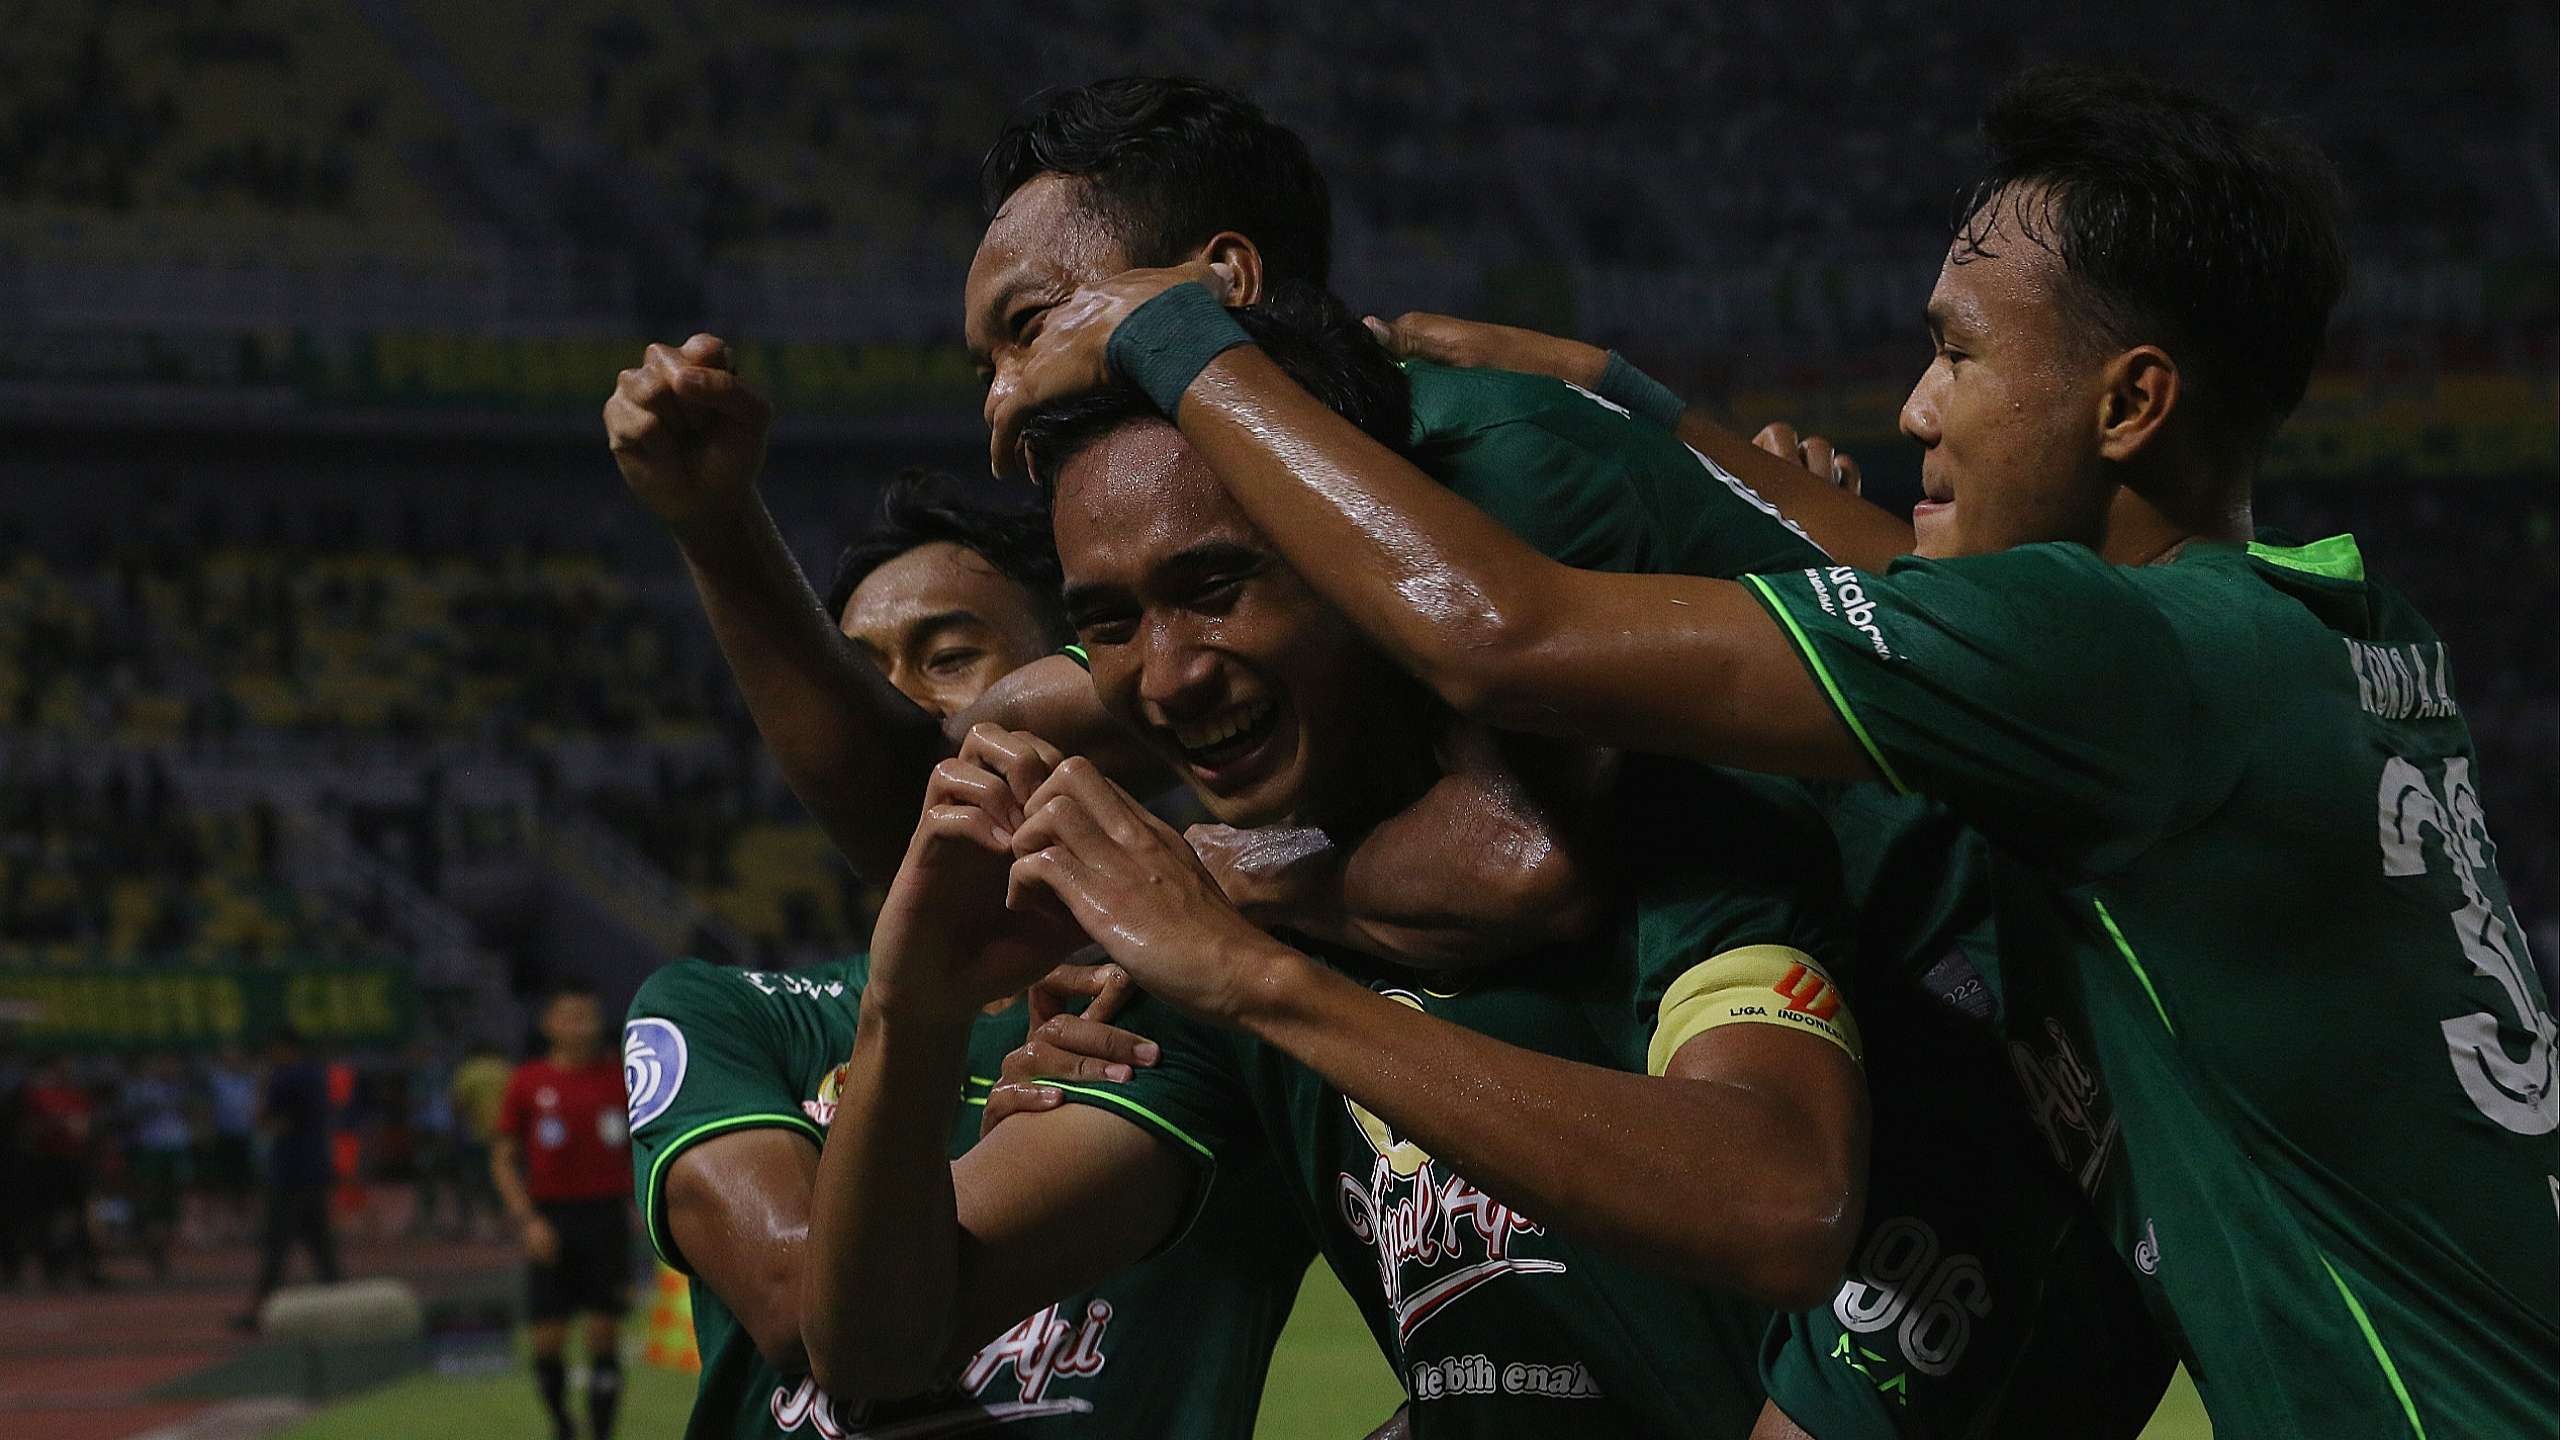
{"x":2008,"y":411}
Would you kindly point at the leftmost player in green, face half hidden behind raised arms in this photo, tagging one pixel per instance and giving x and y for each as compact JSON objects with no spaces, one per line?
{"x":733,"y":1083}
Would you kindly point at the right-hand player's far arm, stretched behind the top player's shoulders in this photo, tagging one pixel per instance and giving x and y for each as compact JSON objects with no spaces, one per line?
{"x":1806,"y":493}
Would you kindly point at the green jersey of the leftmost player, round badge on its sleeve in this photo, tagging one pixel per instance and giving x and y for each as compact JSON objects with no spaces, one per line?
{"x":1174,"y":1346}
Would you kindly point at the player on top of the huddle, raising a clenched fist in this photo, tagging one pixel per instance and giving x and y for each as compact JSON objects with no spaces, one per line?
{"x":1143,"y":173}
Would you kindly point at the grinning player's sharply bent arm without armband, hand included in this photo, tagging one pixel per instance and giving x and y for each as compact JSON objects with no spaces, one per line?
{"x":1038,"y":1211}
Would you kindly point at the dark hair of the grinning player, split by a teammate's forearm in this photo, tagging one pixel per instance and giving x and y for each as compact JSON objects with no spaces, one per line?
{"x":1312,"y":337}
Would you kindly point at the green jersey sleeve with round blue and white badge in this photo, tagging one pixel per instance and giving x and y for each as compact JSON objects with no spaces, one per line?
{"x":703,"y":1054}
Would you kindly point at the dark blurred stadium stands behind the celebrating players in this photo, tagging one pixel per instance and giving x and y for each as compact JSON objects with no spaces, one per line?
{"x":329,"y":639}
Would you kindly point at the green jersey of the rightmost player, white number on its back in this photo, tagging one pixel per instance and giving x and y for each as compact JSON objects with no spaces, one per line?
{"x":2257,"y":962}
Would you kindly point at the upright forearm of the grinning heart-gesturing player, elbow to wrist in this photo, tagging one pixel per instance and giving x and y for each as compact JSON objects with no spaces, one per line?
{"x":879,"y":1305}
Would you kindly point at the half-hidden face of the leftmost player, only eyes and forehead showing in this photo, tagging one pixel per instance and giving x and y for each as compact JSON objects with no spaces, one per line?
{"x":943,"y":626}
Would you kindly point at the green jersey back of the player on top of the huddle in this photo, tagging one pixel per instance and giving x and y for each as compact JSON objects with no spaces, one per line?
{"x":1591,"y":486}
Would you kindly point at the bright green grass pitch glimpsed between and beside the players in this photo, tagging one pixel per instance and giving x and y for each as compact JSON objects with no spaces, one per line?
{"x":1327,"y":1385}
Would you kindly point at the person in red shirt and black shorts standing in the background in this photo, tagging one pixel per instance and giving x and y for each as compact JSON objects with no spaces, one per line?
{"x":562,"y":1167}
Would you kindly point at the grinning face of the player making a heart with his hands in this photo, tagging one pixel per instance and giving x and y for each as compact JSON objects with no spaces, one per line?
{"x":1215,"y":652}
